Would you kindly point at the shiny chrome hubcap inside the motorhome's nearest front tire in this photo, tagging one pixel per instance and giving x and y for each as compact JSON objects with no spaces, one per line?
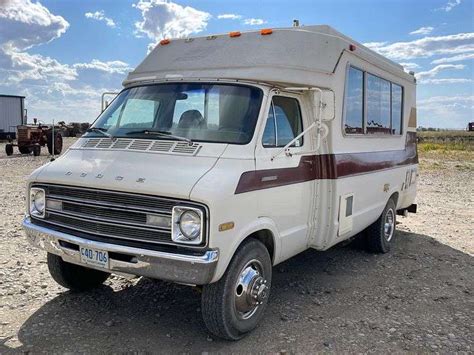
{"x":250,"y":290}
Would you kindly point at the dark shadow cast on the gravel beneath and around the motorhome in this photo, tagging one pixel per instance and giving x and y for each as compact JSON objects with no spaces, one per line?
{"x":321,"y":301}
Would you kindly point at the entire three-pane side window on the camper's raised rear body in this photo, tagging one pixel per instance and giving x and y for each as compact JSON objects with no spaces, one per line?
{"x":372,"y":105}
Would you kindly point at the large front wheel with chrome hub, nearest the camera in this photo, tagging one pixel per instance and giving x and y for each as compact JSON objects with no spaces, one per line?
{"x":234,"y":305}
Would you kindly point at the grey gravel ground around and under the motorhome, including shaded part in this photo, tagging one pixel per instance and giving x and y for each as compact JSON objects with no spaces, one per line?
{"x":418,"y":298}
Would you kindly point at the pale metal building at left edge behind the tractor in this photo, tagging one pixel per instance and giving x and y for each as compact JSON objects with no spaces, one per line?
{"x":11,"y":114}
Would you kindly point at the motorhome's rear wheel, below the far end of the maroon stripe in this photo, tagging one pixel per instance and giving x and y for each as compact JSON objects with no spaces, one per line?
{"x":381,"y":233}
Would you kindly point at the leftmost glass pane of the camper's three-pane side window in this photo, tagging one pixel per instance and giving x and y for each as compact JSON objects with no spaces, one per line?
{"x":354,"y":102}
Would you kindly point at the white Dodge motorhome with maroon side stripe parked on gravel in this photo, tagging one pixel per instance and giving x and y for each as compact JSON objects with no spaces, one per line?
{"x":226,"y":155}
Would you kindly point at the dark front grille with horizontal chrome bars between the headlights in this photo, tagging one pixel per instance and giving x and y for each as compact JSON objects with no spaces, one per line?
{"x":115,"y":215}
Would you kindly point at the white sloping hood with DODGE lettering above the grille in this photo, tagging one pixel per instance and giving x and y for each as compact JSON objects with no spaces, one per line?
{"x":151,"y":173}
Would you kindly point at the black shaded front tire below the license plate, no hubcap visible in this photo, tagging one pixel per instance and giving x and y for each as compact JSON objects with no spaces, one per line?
{"x":74,"y":277}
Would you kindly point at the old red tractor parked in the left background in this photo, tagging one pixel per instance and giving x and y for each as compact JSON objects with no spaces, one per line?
{"x":30,"y":138}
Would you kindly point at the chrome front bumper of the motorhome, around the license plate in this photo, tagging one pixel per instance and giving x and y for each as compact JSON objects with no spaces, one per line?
{"x":180,"y":268}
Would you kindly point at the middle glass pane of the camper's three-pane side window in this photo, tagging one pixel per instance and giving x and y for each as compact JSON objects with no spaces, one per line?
{"x":378,"y":105}
